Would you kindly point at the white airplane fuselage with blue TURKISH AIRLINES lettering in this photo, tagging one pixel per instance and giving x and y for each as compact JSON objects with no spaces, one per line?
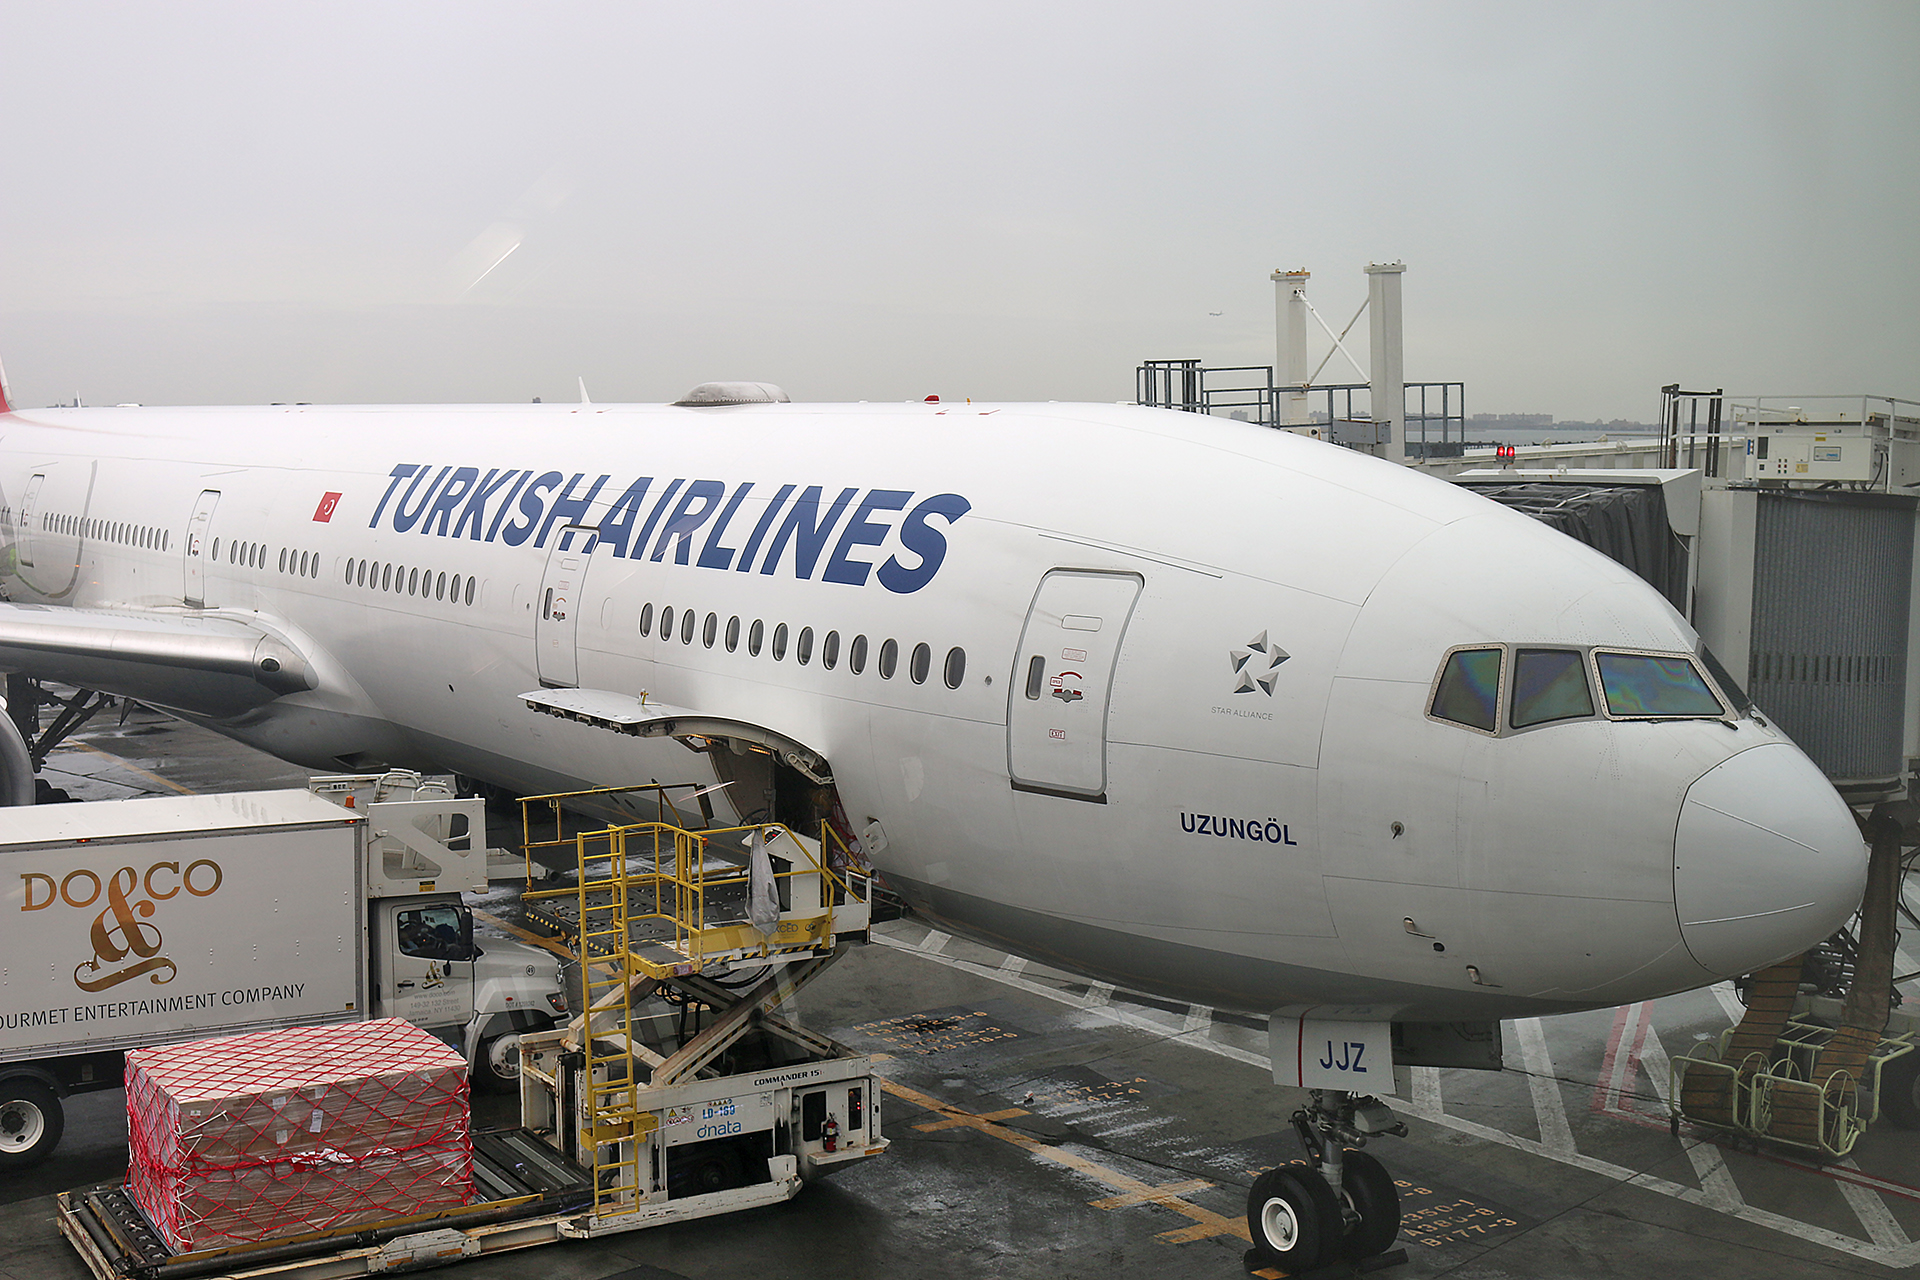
{"x":1170,"y":726}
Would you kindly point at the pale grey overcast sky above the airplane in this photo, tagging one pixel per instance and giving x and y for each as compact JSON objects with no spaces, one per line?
{"x":310,"y":202}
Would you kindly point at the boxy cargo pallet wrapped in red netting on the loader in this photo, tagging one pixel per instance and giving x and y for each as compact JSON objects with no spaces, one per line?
{"x":285,"y":1133}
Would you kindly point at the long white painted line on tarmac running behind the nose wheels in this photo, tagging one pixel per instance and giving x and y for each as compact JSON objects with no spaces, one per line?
{"x":1418,"y":1106}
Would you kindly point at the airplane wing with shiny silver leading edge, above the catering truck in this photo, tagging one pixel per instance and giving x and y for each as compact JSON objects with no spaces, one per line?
{"x":195,"y":663}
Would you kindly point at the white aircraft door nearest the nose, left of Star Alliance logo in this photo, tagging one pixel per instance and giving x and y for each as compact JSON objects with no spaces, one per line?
{"x":1063,"y":678}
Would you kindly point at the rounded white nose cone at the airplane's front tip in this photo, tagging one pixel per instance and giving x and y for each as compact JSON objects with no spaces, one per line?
{"x":1767,"y":861}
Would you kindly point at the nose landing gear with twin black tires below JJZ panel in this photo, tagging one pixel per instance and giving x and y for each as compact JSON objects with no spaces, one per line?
{"x":1335,"y":1206}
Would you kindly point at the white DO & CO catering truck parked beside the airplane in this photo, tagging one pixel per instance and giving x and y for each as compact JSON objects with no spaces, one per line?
{"x":151,"y":922}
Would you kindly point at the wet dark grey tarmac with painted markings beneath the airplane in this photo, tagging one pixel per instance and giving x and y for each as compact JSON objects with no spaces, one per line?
{"x":1051,"y":1127}
